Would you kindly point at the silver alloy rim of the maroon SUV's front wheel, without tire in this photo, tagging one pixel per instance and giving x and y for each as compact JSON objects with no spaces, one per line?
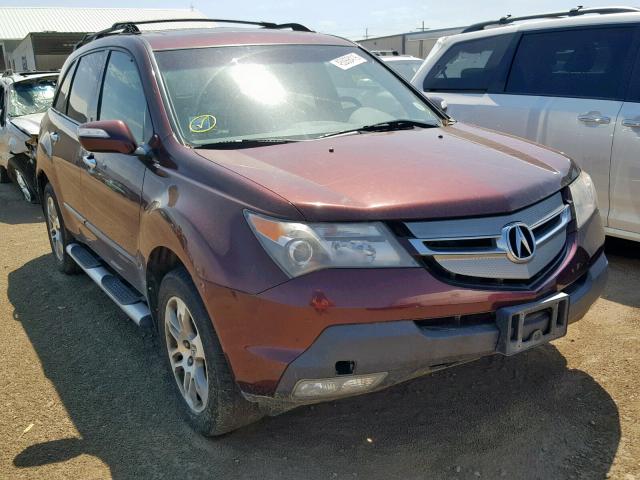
{"x":186,"y":354}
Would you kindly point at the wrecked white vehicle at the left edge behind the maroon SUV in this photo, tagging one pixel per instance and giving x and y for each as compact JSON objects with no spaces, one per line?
{"x":24,"y":97}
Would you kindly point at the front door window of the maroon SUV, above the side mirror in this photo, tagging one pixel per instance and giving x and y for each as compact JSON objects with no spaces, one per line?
{"x":122,"y":95}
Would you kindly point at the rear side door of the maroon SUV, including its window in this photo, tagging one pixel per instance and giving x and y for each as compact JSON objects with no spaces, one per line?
{"x":74,"y":104}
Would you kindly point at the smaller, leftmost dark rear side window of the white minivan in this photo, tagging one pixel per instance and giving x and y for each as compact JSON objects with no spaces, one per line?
{"x":471,"y":65}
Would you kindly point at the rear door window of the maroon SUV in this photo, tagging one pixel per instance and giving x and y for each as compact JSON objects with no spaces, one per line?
{"x":85,"y":86}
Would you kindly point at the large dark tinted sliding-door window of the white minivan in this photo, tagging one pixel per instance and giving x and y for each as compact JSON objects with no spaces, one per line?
{"x":572,"y":63}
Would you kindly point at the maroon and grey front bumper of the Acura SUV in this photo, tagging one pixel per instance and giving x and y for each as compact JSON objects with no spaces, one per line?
{"x":301,"y":327}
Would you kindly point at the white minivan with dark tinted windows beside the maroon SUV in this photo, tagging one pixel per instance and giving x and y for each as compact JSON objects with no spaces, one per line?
{"x":566,"y":80}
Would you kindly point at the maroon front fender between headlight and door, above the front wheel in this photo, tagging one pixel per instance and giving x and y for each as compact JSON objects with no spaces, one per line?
{"x":207,"y":230}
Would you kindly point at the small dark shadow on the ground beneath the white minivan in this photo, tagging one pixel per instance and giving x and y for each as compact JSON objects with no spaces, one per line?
{"x":624,"y":260}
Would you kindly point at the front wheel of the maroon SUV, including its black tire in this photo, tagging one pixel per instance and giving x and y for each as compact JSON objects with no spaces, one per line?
{"x":214,"y":406}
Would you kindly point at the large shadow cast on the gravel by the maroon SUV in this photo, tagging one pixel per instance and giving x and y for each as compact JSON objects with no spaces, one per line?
{"x":527,"y":416}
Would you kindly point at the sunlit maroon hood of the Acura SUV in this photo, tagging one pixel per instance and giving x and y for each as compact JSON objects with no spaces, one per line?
{"x":452,"y":171}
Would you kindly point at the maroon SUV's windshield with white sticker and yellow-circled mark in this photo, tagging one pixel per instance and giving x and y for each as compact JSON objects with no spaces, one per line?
{"x":294,"y":92}
